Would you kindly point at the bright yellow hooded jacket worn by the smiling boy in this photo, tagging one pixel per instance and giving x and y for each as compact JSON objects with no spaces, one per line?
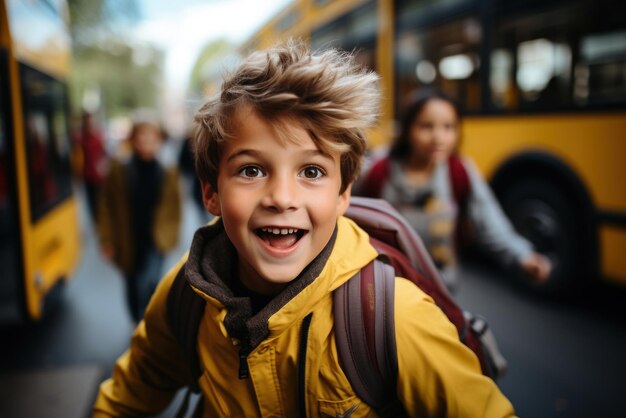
{"x":438,"y":375}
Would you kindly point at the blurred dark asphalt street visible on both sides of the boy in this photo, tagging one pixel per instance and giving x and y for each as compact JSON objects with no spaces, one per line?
{"x":565,"y":358}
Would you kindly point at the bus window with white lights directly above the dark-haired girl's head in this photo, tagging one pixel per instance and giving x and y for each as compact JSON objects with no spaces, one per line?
{"x":446,"y":56}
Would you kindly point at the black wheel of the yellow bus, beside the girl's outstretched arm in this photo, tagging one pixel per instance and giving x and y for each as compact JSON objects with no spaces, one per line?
{"x":545,"y":215}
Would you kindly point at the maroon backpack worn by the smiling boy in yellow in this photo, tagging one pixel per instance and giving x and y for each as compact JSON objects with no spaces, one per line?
{"x":364,"y":319}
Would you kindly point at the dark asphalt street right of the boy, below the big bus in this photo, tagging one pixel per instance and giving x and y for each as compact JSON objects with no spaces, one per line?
{"x":565,"y":358}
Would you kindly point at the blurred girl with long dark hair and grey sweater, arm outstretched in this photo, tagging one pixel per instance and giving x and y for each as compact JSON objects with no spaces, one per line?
{"x":418,"y":179}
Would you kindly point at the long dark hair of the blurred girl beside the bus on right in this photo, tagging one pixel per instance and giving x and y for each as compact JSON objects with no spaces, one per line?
{"x":401,"y":147}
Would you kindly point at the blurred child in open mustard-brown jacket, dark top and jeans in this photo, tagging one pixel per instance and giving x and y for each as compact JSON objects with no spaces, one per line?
{"x":139,"y":215}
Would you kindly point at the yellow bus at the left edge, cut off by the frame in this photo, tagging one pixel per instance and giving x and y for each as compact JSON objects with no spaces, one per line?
{"x":39,"y":228}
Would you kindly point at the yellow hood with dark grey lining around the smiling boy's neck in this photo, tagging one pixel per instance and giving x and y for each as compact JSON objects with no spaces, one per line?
{"x":211,"y":266}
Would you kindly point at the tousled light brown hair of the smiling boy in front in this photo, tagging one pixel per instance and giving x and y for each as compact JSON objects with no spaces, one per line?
{"x":327,"y":93}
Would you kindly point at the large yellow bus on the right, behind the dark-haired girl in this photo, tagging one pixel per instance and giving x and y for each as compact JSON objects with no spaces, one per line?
{"x":542,"y":84}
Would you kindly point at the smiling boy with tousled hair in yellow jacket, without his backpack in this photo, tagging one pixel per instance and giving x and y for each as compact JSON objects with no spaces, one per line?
{"x":277,"y":152}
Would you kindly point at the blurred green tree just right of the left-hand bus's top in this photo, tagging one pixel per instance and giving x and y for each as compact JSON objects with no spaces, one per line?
{"x":111,"y":73}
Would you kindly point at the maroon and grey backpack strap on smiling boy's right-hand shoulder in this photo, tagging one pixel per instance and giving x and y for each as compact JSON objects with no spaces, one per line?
{"x":365,"y":335}
